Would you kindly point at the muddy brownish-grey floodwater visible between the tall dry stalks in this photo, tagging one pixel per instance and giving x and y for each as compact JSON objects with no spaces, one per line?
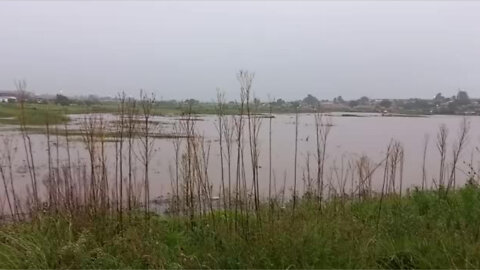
{"x":349,"y":139}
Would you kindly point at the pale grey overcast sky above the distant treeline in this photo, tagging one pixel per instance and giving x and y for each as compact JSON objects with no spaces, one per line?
{"x":187,"y":49}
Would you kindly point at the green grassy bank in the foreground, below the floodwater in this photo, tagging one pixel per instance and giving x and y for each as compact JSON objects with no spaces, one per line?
{"x":420,"y":230}
